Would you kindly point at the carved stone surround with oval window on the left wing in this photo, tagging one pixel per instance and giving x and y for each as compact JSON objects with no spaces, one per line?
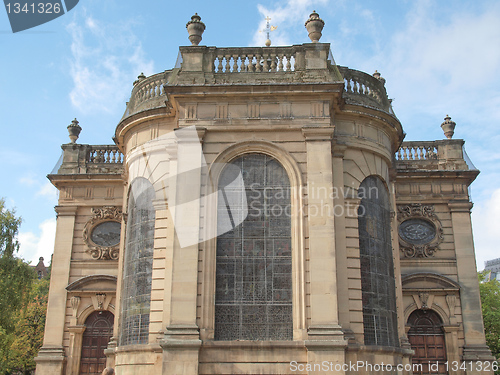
{"x":102,"y":233}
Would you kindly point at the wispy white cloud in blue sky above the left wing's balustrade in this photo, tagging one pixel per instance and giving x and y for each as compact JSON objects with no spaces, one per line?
{"x":106,"y":59}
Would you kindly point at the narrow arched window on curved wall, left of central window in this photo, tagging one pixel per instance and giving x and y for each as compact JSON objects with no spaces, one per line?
{"x":138,"y":264}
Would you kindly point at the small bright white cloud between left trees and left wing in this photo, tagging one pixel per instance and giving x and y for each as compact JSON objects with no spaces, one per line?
{"x":33,"y":246}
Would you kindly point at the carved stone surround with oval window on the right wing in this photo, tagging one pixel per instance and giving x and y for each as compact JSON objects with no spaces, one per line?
{"x":420,"y":231}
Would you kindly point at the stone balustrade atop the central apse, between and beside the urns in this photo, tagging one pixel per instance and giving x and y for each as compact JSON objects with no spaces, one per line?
{"x":306,"y":63}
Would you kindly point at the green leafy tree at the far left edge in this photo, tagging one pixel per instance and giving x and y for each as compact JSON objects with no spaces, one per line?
{"x":16,"y":280}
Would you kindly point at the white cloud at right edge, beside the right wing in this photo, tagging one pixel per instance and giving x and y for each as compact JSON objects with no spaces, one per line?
{"x":485,"y":225}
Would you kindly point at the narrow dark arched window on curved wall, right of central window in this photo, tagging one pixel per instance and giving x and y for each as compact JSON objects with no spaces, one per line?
{"x":377,"y":269}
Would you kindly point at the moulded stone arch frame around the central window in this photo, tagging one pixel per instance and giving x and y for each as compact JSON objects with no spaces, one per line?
{"x":206,"y":321}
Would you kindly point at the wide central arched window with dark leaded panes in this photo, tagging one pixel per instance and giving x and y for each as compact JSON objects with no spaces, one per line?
{"x":253,"y":298}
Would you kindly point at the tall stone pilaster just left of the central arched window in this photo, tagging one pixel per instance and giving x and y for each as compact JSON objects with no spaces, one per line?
{"x":182,"y":342}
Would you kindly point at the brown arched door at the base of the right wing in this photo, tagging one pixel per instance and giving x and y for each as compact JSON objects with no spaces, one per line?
{"x":426,"y":337}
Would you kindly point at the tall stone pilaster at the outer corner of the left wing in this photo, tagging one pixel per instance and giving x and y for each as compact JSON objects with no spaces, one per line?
{"x":51,"y":358}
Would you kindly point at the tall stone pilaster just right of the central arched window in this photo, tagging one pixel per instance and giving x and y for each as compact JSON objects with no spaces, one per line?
{"x":325,"y":337}
